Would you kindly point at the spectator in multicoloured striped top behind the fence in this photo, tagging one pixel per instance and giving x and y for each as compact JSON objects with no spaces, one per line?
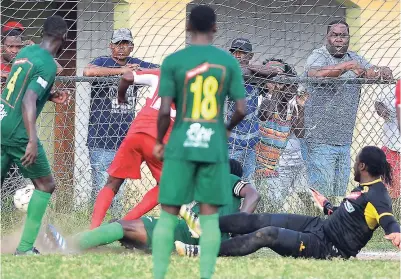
{"x":277,"y":120}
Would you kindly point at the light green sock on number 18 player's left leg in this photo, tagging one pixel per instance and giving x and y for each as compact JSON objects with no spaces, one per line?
{"x":163,"y":243}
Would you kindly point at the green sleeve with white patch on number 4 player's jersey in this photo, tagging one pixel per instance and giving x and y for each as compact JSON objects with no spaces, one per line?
{"x":42,"y":80}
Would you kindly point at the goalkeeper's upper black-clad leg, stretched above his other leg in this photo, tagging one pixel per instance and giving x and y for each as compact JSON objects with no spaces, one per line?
{"x":243,"y":223}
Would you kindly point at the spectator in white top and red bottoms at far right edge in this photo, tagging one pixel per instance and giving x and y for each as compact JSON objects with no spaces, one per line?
{"x":385,"y":108}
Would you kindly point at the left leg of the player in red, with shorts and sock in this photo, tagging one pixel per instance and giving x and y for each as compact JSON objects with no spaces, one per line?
{"x":126,"y":164}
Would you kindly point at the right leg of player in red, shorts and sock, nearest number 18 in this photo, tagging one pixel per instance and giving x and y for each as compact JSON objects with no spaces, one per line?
{"x":149,"y":200}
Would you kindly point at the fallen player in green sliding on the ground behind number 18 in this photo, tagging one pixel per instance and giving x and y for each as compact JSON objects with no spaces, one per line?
{"x":138,"y":233}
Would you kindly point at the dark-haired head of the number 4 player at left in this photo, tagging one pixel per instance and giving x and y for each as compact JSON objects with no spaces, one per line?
{"x":55,"y":33}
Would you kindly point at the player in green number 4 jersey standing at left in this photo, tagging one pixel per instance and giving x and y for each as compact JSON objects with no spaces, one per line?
{"x":26,"y":91}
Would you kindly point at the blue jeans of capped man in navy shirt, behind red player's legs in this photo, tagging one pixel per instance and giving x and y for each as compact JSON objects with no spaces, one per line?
{"x":100,"y":160}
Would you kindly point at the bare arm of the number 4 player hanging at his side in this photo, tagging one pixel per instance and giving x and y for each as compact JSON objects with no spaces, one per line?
{"x":29,"y":118}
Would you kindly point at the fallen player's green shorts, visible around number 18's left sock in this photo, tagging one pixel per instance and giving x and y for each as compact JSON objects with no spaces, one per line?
{"x":181,"y":231}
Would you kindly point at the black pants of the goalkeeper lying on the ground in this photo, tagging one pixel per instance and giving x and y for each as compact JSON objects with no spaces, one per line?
{"x":286,"y":234}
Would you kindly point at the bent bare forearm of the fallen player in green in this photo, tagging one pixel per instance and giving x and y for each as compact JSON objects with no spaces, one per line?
{"x":250,"y":195}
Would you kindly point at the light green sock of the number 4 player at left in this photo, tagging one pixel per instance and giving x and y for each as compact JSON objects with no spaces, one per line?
{"x":36,"y":209}
